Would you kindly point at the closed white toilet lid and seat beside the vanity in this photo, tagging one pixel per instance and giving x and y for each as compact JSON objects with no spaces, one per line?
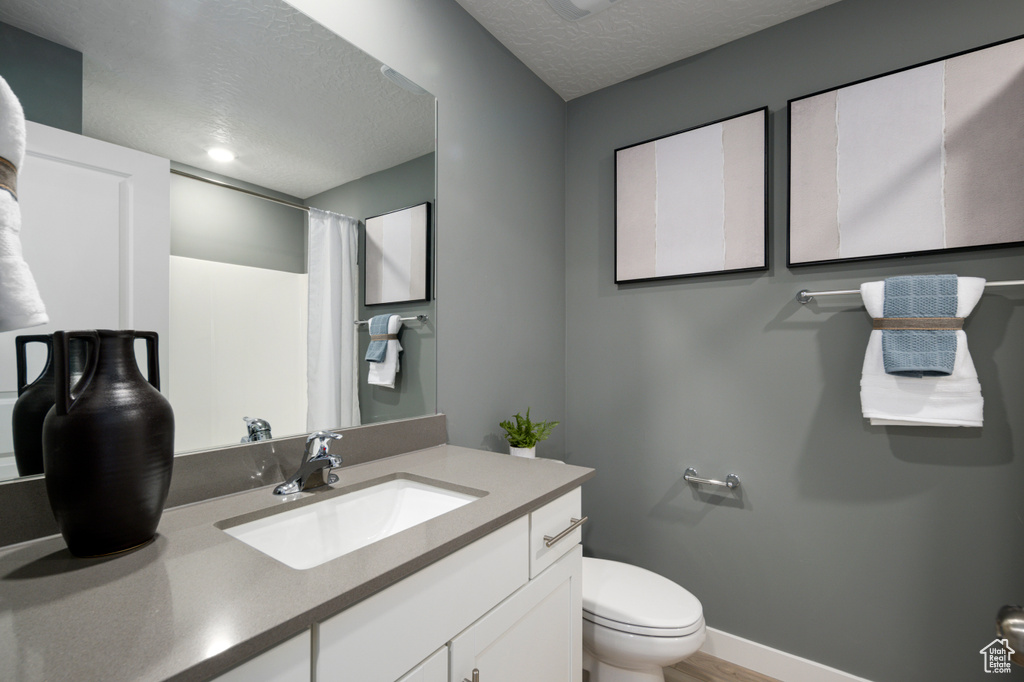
{"x":637,"y":602}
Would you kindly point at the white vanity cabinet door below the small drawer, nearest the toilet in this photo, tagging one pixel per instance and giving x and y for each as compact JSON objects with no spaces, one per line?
{"x":535,"y":635}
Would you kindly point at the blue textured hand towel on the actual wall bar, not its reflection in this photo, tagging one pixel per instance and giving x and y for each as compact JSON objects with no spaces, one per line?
{"x":914,"y":353}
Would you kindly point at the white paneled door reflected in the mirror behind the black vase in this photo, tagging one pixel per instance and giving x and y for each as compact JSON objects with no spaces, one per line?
{"x":96,"y":232}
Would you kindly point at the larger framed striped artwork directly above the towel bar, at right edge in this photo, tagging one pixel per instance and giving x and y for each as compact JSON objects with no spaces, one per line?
{"x":922,"y":160}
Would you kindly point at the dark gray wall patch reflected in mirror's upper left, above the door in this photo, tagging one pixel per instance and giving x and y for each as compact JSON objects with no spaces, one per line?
{"x":47,"y":77}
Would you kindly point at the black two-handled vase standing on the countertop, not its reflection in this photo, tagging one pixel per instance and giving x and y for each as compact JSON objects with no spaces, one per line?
{"x":108,"y":445}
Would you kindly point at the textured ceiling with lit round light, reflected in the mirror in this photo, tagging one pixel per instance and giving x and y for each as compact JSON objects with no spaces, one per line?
{"x":304,"y":110}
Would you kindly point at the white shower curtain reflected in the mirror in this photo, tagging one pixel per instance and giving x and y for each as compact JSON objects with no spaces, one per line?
{"x":332,"y":365}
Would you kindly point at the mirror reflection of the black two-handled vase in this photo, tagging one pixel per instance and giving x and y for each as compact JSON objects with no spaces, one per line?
{"x":35,"y":400}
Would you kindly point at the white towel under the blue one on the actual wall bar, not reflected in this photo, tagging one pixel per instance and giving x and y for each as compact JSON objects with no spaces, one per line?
{"x":892,"y":401}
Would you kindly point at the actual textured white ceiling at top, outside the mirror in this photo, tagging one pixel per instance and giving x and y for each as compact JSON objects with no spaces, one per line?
{"x":630,"y":38}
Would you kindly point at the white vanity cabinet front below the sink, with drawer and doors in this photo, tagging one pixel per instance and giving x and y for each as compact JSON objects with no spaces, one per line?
{"x":483,"y":603}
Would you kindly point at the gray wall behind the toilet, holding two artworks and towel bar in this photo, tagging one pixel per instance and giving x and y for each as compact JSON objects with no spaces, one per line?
{"x":882,"y":551}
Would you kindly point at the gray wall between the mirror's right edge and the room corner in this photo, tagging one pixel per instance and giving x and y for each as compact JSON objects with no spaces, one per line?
{"x":500,"y":212}
